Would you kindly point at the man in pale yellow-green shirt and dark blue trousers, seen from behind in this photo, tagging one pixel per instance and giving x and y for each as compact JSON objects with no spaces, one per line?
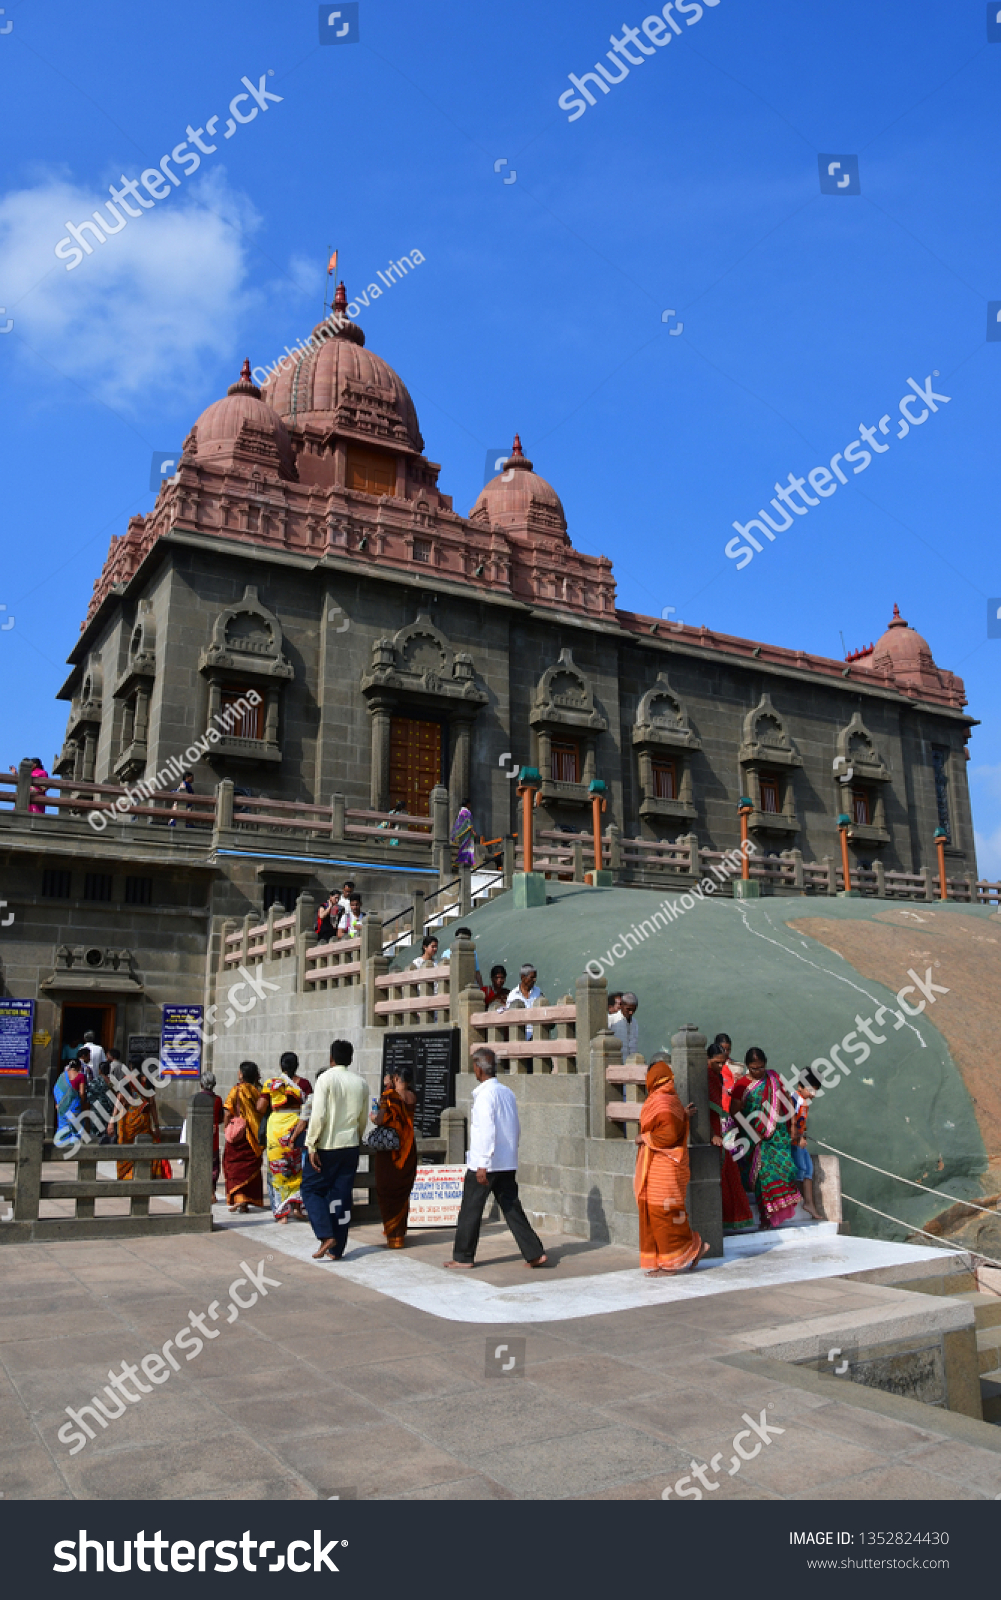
{"x":332,"y":1150}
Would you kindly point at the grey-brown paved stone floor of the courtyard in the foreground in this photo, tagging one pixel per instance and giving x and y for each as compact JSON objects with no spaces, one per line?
{"x":330,"y":1388}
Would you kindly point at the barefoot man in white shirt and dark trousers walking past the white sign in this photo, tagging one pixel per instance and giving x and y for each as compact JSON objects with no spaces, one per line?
{"x":490,"y":1169}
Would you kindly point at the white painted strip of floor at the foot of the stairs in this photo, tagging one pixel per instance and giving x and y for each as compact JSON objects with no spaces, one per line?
{"x":754,"y":1262}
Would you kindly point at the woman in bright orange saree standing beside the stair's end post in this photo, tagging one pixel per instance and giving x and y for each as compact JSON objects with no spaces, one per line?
{"x":668,"y":1244}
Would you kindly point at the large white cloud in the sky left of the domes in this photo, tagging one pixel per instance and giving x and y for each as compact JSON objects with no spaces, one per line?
{"x":151,"y":306}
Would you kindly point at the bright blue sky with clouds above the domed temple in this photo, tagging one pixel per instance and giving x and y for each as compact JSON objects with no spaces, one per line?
{"x":692,"y":185}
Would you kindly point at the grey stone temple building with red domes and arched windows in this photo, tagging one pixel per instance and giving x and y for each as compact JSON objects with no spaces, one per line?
{"x":306,"y":598}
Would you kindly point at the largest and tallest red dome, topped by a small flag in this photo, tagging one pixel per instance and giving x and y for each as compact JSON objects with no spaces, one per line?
{"x":338,"y":383}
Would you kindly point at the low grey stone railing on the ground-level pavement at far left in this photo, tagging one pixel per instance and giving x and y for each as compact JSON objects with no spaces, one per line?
{"x":33,"y":1186}
